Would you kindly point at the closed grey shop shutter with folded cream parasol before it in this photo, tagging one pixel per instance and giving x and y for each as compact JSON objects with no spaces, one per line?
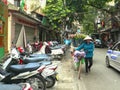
{"x":23,"y":34}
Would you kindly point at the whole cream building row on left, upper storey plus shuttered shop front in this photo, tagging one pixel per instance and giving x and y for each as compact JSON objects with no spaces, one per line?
{"x":25,"y":22}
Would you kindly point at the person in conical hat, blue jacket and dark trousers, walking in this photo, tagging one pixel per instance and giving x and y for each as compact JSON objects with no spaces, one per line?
{"x":88,"y":47}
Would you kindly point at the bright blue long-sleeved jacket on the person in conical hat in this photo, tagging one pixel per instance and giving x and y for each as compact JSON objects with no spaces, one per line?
{"x":88,"y":48}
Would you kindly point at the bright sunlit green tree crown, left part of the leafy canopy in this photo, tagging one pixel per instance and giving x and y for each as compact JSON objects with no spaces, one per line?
{"x":56,"y":13}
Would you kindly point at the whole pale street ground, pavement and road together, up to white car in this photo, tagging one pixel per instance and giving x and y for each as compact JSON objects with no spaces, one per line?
{"x":100,"y":77}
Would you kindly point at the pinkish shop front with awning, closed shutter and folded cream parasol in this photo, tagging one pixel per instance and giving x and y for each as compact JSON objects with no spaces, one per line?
{"x":24,"y":28}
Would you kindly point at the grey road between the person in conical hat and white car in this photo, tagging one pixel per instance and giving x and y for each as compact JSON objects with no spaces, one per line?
{"x":101,"y":77}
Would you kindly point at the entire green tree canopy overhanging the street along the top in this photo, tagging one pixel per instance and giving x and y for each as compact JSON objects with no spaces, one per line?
{"x":83,"y":11}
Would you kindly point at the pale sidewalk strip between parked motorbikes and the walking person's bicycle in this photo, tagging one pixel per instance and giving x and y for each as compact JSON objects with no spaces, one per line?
{"x":68,"y":78}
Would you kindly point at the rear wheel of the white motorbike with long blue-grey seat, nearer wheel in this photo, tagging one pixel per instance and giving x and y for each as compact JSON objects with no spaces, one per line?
{"x":37,"y":83}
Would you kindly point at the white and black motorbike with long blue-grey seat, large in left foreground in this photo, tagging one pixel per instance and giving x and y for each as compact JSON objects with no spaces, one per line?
{"x":22,"y":73}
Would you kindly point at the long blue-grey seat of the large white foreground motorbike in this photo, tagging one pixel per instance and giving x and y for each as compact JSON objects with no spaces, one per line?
{"x":24,"y":67}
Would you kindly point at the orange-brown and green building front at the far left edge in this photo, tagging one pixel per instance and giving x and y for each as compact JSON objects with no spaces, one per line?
{"x":3,"y":29}
